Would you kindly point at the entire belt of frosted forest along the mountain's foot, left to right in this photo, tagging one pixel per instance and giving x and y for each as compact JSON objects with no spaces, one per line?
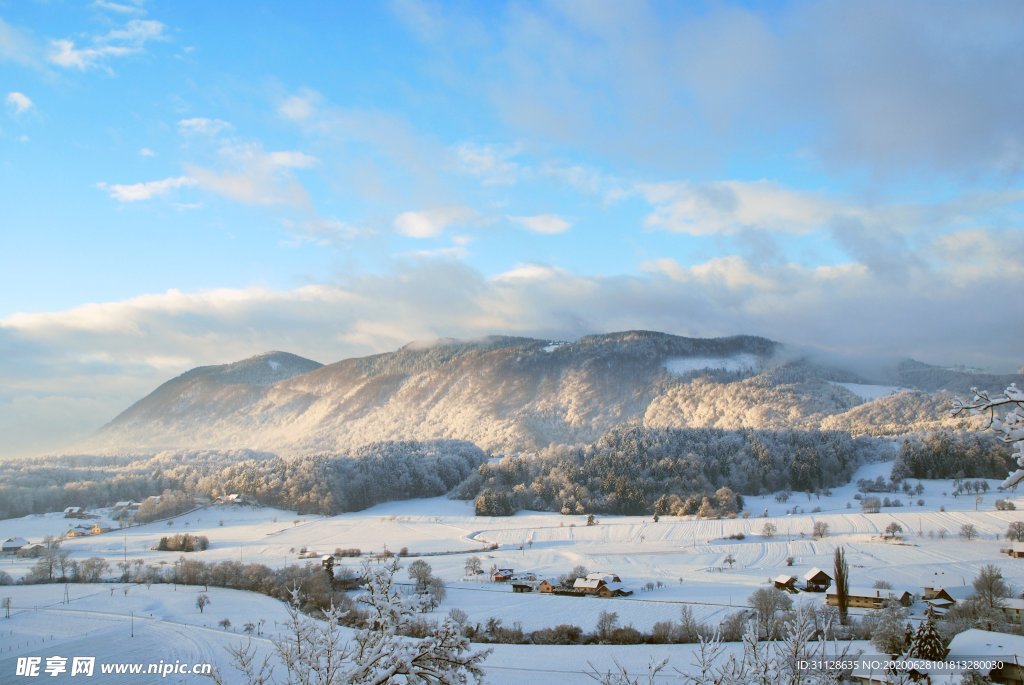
{"x":630,"y":470}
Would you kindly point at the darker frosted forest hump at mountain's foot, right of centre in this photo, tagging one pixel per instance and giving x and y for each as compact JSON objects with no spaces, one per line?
{"x":630,"y":469}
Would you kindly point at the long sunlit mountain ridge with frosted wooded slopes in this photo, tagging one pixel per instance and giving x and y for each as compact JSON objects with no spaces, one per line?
{"x":507,"y":394}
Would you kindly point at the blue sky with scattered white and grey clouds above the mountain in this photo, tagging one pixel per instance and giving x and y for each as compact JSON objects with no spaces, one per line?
{"x":192,"y":183}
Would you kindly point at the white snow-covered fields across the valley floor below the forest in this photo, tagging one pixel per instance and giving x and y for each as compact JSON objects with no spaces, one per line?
{"x":686,"y":560}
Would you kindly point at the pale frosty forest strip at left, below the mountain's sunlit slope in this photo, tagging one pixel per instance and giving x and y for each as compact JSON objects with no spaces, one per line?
{"x":321,"y":485}
